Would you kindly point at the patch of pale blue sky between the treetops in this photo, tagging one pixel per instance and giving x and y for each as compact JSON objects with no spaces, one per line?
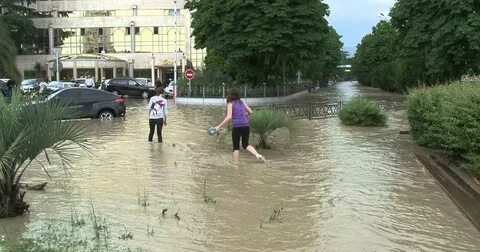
{"x":353,"y":19}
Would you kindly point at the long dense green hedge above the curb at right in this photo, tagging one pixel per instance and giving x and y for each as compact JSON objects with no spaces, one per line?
{"x":447,"y":118}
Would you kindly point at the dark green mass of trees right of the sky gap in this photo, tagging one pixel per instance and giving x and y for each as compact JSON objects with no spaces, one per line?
{"x":424,"y":42}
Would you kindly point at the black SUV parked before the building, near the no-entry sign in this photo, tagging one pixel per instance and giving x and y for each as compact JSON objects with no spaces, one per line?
{"x":130,"y":86}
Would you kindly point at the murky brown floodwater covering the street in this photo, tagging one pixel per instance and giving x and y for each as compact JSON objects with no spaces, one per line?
{"x":337,"y":188}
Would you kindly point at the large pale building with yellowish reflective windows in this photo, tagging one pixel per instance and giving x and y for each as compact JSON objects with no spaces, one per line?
{"x":106,"y":38}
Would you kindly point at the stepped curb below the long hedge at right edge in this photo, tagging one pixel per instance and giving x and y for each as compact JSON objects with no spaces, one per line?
{"x":459,"y":186}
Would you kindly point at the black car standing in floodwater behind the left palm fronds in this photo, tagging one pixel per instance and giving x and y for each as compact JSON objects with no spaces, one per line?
{"x":91,"y":103}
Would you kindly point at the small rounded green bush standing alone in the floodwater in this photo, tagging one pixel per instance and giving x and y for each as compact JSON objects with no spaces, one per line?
{"x":362,"y":112}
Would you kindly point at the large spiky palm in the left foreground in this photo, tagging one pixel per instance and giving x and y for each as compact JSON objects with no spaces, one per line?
{"x":28,"y":130}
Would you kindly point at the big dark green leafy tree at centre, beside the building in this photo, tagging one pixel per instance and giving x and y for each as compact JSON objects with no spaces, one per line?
{"x":260,"y":41}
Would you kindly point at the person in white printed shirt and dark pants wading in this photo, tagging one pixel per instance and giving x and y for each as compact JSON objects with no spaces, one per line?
{"x":157,"y":111}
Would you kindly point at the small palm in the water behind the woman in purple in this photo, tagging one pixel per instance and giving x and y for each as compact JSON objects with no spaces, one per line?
{"x":265,"y":122}
